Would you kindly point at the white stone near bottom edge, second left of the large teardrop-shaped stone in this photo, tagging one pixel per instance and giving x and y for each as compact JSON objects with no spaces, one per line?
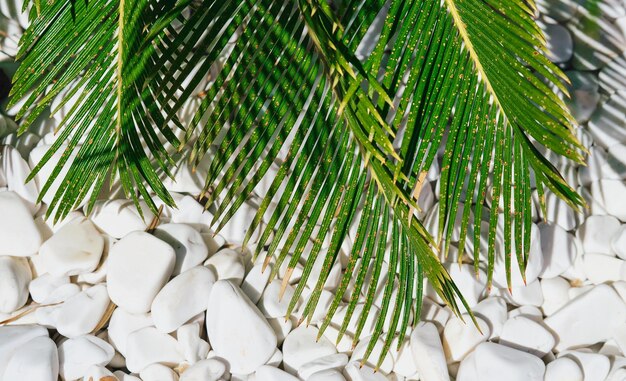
{"x":147,"y":346}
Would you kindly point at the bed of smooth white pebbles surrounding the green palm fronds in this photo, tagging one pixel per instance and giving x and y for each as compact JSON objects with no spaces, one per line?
{"x":99,"y":298}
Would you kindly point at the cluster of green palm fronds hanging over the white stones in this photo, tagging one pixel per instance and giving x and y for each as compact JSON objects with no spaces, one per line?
{"x":281,"y":82}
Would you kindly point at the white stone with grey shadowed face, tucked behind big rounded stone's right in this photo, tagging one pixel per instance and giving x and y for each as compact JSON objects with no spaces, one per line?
{"x":187,"y":243}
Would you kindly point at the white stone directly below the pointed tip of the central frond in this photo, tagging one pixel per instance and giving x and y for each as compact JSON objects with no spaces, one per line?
{"x":460,"y":338}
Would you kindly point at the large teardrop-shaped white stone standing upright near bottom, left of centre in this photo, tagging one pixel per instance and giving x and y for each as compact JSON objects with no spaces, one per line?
{"x":237,"y":330}
